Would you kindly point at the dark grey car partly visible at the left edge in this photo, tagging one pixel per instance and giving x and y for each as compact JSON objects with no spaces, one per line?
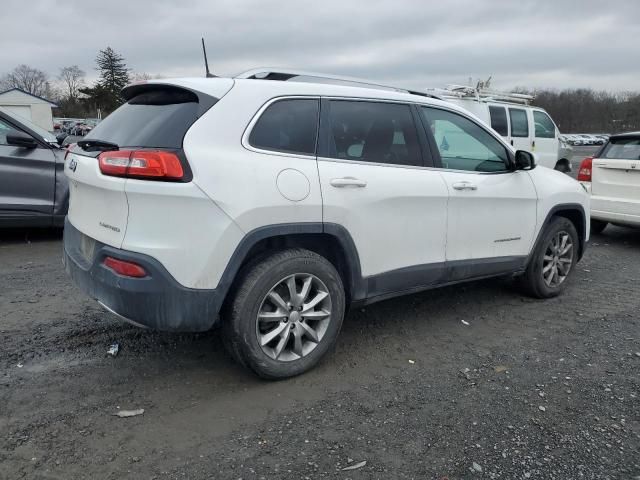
{"x":33,"y":187}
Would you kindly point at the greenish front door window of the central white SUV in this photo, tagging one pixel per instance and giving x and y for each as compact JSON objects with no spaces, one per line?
{"x":464,"y":145}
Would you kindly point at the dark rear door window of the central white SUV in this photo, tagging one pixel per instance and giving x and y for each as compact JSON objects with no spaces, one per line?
{"x":373,"y":132}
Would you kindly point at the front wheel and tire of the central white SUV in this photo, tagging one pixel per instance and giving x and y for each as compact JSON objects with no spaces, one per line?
{"x":535,"y":280}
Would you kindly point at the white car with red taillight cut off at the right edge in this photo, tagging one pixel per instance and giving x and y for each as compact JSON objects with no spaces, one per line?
{"x":612,"y":177}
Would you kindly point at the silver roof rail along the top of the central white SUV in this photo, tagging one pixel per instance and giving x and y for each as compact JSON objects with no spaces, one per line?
{"x":285,"y":74}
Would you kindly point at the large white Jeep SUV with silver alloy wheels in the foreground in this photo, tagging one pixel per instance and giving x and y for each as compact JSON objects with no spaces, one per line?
{"x":270,"y":202}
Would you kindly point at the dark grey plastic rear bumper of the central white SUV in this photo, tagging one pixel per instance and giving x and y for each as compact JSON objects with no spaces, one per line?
{"x":156,"y":301}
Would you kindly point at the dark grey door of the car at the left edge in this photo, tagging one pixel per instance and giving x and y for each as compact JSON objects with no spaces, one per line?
{"x":27,"y":177}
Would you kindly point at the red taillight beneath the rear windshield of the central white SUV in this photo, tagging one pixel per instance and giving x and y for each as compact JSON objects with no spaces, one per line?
{"x":147,"y":164}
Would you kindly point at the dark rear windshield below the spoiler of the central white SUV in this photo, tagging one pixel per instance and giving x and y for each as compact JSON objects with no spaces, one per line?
{"x":153,"y":119}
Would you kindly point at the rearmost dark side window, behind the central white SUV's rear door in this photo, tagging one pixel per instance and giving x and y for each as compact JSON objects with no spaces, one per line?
{"x":288,"y":126}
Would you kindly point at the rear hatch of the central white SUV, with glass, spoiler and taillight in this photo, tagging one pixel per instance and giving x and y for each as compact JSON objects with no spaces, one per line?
{"x":149,"y":127}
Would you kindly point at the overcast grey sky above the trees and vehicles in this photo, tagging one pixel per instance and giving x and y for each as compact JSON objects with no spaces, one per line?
{"x":417,"y":43}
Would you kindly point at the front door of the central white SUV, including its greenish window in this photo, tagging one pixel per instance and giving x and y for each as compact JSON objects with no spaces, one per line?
{"x":491,"y":209}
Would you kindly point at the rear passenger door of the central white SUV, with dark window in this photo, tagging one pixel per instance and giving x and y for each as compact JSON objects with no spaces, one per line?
{"x":375,"y":183}
